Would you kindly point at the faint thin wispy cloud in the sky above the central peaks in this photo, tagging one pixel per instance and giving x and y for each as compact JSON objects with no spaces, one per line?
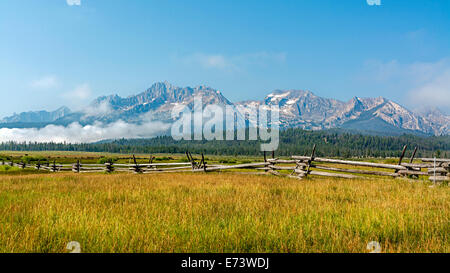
{"x":234,"y":62}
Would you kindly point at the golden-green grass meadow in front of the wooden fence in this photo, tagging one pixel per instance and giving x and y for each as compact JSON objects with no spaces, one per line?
{"x":220,"y":213}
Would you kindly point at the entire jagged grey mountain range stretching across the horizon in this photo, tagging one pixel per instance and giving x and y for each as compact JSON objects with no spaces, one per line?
{"x":298,"y":108}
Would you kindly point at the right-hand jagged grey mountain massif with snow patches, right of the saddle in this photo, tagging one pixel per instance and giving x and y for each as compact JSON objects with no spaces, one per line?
{"x":305,"y":110}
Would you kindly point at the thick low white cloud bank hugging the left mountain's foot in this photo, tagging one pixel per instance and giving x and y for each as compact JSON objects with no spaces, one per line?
{"x":76,"y":133}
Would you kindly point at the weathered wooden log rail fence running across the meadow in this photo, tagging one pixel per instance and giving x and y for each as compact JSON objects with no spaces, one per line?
{"x":300,"y":167}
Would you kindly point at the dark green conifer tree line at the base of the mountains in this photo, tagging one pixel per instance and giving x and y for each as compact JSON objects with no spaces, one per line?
{"x":333,"y":143}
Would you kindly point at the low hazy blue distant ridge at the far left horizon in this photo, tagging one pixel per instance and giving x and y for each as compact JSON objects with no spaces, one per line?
{"x":37,"y":116}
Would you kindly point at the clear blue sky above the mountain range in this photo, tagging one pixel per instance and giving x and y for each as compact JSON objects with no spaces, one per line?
{"x":54,"y":54}
